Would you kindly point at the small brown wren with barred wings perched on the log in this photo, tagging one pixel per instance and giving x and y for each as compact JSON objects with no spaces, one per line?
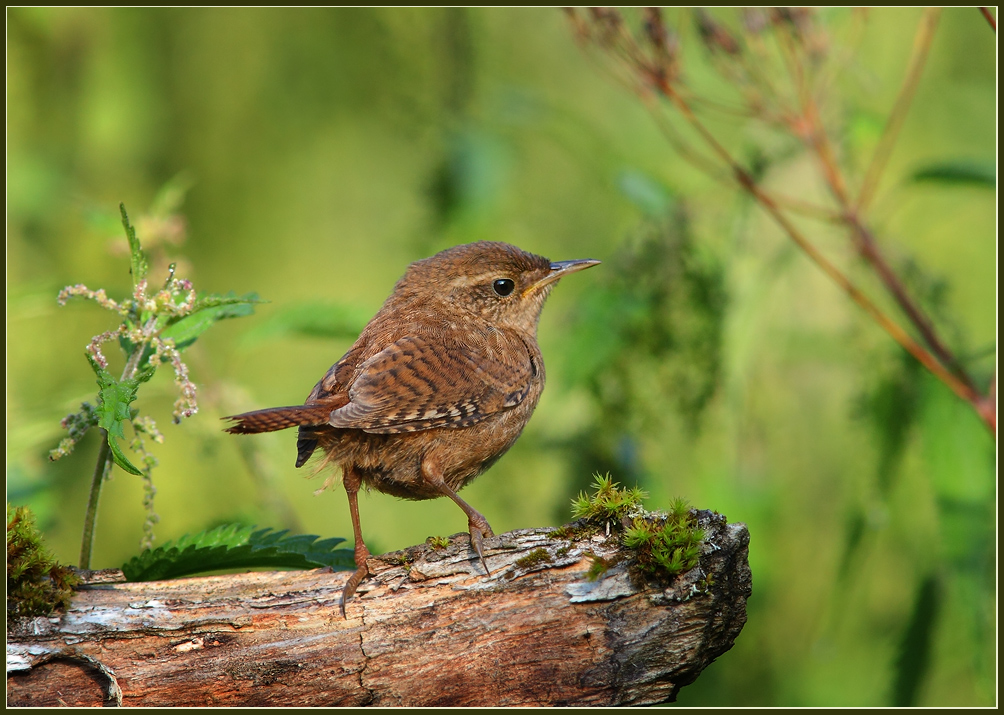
{"x":437,"y":388}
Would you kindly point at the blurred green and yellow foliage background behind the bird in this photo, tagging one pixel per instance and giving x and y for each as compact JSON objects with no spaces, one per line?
{"x":327,"y":149}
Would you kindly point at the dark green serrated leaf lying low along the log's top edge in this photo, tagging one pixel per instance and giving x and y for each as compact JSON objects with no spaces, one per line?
{"x":237,"y":547}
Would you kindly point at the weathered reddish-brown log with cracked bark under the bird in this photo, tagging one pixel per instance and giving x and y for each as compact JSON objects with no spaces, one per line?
{"x":428,"y":629}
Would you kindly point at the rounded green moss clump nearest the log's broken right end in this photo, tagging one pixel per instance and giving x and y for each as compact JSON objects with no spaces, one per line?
{"x":666,"y":549}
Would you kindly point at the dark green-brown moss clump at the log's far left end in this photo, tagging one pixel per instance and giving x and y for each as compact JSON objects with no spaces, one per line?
{"x":37,"y":585}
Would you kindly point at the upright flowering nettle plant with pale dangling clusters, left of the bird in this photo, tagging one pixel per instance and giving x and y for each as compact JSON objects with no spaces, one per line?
{"x":158,"y":325}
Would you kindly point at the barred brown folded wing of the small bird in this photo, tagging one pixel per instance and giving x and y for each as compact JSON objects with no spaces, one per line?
{"x":414,"y":385}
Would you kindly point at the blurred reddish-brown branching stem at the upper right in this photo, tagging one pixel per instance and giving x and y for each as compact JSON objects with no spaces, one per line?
{"x":659,"y":71}
